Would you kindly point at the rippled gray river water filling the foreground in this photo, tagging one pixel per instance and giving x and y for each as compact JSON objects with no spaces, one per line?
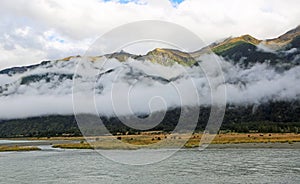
{"x":185,"y":166}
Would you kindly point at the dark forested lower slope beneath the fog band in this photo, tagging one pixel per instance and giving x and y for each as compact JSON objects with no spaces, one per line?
{"x":273,"y":117}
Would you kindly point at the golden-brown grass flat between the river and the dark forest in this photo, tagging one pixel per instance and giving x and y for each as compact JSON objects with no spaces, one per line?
{"x":169,"y":141}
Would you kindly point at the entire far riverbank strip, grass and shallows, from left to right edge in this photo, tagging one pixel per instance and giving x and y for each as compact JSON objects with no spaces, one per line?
{"x":157,"y":141}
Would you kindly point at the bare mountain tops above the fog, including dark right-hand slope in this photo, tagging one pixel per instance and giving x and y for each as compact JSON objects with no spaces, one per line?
{"x":238,"y":49}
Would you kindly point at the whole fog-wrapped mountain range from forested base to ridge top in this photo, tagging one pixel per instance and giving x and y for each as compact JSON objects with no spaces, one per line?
{"x":261,"y":77}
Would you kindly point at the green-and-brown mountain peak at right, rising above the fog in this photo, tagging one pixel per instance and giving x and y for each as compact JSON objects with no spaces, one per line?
{"x":247,"y":50}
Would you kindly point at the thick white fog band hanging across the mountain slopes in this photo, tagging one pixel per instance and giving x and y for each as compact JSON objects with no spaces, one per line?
{"x":47,"y":88}
